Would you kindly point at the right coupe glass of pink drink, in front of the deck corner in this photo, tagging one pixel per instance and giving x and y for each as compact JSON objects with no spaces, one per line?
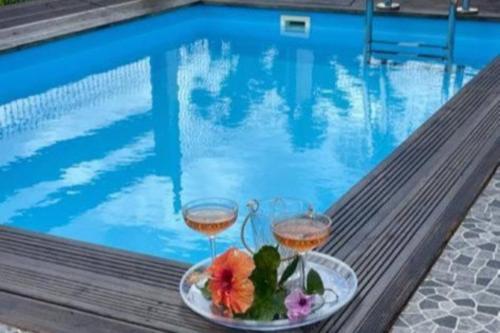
{"x":302,"y":233}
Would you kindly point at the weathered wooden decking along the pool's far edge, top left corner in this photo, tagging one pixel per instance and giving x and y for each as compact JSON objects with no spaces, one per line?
{"x":38,"y":21}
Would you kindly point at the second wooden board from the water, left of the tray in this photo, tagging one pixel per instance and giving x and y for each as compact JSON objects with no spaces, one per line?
{"x":112,"y":298}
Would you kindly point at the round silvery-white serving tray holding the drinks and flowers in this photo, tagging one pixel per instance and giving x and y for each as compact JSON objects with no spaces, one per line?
{"x":336,"y":275}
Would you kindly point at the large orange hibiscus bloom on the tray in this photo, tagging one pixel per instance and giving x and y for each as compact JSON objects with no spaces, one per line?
{"x":229,"y":283}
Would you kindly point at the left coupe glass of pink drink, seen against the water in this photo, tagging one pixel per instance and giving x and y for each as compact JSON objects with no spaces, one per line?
{"x":210,"y":216}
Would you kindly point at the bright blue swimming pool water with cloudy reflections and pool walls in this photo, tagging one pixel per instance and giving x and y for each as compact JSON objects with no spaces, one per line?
{"x":103,"y":136}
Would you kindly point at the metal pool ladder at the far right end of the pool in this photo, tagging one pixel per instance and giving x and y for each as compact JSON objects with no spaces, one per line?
{"x":374,"y":47}
